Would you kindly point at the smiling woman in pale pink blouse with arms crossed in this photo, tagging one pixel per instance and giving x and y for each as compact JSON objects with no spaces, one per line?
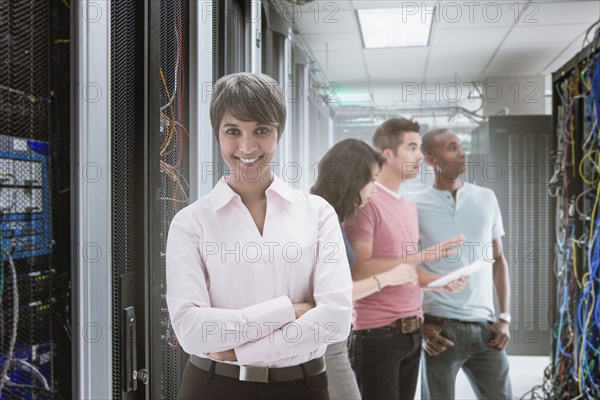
{"x":258,"y":282}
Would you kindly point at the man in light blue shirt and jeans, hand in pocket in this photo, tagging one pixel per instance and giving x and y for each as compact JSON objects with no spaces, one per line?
{"x":461,"y":329}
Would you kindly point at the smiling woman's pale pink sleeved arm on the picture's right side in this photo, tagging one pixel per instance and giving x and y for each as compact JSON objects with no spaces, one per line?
{"x":329,"y":321}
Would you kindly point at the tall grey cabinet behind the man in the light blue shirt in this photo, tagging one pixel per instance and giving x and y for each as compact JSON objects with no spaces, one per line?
{"x":510,"y":156}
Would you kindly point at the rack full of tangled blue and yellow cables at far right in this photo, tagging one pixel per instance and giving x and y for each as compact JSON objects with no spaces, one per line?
{"x":574,"y":371}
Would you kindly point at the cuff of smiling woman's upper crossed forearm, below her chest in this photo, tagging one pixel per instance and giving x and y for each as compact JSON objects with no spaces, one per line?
{"x":270,"y":315}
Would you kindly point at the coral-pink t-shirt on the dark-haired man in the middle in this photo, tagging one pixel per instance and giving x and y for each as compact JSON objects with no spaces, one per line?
{"x":391,"y":225}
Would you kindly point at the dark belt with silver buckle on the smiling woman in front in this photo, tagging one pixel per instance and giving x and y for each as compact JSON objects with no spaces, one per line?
{"x":260,"y":374}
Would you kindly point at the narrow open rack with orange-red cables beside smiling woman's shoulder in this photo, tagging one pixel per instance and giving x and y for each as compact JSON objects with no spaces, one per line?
{"x":174,"y":175}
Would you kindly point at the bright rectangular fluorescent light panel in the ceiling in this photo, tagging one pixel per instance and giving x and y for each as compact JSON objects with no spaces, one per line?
{"x":396,"y":27}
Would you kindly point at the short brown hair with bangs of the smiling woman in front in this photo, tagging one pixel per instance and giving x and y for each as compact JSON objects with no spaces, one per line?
{"x":248,"y":97}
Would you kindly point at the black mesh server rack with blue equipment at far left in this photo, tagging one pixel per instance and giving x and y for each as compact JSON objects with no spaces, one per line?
{"x":35,"y":276}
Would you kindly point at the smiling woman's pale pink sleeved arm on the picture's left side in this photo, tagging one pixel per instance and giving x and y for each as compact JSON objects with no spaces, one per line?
{"x":201,"y":328}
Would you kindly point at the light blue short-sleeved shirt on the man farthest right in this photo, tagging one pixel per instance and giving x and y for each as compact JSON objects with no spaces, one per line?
{"x":475,"y":213}
